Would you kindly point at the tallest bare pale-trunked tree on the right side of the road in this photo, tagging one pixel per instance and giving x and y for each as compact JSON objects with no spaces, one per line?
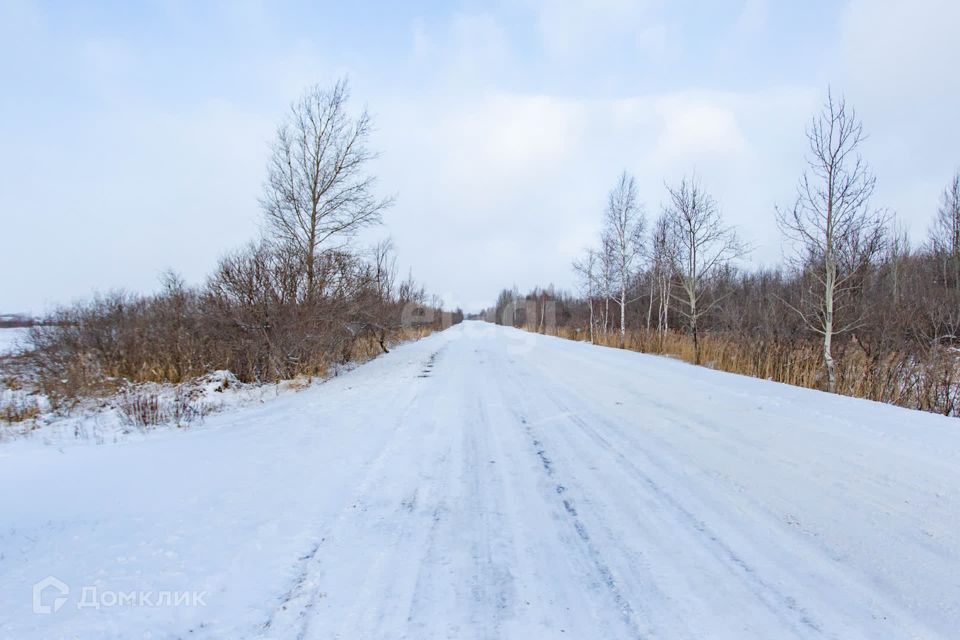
{"x":835,"y":233}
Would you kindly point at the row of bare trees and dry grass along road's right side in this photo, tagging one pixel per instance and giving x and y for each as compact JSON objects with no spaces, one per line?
{"x":856,"y":309}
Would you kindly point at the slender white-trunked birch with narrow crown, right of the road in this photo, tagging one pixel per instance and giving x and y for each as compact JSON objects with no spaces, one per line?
{"x":623,"y":236}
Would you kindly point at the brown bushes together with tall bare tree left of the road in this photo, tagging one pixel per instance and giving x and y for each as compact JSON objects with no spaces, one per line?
{"x":295,"y":302}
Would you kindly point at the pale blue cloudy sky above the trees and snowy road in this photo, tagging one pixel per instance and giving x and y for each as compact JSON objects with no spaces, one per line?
{"x":133,"y":136}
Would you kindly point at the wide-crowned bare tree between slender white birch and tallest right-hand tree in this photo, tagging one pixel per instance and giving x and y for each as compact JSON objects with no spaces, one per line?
{"x":704,"y":246}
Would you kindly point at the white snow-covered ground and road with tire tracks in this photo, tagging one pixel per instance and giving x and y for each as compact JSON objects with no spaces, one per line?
{"x":485,"y":483}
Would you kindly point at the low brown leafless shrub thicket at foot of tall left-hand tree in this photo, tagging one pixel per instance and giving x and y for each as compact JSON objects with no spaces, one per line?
{"x":253,"y":317}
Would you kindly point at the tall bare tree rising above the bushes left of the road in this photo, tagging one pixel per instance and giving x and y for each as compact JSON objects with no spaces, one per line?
{"x":318,"y":190}
